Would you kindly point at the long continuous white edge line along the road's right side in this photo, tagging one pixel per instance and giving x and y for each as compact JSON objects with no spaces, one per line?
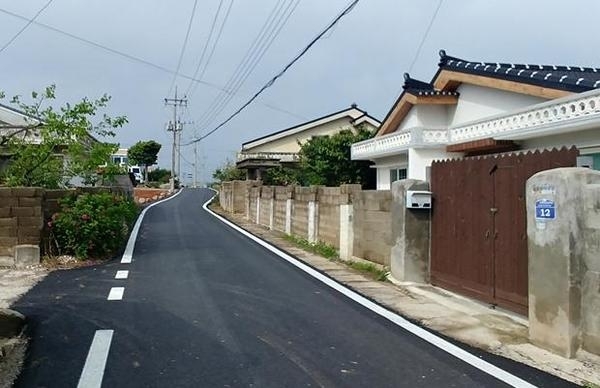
{"x":436,"y":341}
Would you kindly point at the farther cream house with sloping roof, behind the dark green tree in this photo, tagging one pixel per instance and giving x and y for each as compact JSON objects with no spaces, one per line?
{"x":282,"y":147}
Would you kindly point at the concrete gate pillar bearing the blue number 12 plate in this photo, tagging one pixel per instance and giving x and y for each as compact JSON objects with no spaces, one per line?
{"x":556,"y":231}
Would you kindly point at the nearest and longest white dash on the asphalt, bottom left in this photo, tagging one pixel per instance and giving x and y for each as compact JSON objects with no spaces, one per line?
{"x":93,"y":370}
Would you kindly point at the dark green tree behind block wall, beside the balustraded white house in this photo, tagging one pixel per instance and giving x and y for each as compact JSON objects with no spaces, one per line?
{"x":325,"y":160}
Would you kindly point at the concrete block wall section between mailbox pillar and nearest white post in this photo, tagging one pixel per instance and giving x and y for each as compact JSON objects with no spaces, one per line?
{"x":372,"y":226}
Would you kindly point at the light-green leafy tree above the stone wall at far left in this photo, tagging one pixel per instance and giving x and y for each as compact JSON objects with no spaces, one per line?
{"x":56,"y":145}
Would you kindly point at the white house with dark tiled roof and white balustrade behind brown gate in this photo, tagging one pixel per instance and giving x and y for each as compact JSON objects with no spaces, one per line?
{"x":475,"y":108}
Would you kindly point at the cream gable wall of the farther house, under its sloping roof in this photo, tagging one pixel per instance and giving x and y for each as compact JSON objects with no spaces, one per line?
{"x":290,"y":143}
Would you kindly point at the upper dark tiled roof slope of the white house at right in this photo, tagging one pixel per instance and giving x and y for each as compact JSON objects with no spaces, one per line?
{"x":569,"y":78}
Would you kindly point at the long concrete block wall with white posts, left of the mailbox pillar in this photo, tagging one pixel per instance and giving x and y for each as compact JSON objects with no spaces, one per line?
{"x":313,"y":213}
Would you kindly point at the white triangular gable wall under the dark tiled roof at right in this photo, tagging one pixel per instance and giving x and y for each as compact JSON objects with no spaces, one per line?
{"x":477,"y":102}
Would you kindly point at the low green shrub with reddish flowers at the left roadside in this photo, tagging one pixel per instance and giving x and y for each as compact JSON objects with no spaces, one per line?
{"x":92,"y":226}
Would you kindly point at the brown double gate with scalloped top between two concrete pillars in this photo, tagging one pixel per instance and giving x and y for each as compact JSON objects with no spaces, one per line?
{"x":479,"y":230}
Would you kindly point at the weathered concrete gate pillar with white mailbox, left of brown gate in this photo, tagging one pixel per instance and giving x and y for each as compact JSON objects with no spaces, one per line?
{"x":409,"y":258}
